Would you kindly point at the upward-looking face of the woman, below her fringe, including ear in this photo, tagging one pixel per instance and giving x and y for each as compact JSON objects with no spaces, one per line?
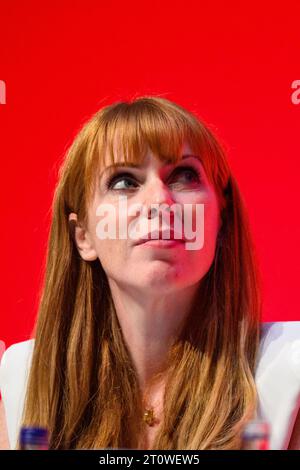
{"x":147,"y":265}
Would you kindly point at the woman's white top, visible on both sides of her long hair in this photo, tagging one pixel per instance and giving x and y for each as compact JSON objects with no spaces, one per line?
{"x":277,"y":379}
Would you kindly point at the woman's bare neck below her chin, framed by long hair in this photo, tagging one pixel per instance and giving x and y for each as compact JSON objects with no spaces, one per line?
{"x":150,"y":324}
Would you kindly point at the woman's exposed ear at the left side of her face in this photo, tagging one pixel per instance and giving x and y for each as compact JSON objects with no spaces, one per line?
{"x":82,"y":239}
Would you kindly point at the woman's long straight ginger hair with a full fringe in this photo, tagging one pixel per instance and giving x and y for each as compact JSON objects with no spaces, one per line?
{"x":82,"y":384}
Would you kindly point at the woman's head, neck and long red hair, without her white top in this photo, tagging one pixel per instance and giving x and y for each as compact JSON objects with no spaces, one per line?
{"x":146,"y":345}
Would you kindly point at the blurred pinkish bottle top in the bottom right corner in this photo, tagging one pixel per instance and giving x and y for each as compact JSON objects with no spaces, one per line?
{"x":256,"y":435}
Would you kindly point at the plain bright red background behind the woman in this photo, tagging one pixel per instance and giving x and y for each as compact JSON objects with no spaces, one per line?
{"x":232,"y":64}
